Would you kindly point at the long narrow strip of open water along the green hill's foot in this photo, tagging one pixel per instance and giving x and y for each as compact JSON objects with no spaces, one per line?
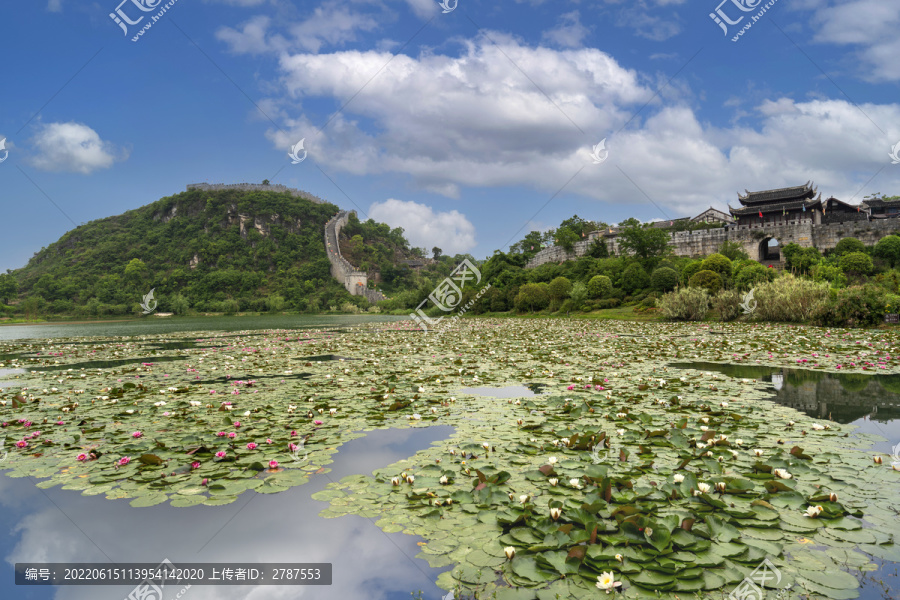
{"x":159,"y":326}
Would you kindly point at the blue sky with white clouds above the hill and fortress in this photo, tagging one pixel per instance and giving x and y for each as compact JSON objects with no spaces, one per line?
{"x":467,"y":128}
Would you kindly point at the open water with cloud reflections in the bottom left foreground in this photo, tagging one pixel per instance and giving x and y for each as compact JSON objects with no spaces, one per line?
{"x":272,"y":528}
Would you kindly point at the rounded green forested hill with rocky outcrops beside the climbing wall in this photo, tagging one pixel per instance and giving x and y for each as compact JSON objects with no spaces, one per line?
{"x":202,"y":250}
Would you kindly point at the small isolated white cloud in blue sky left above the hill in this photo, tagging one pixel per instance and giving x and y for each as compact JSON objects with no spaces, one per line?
{"x":73,"y":147}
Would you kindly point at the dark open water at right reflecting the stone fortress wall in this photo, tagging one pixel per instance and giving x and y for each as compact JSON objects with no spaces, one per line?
{"x":871,"y":402}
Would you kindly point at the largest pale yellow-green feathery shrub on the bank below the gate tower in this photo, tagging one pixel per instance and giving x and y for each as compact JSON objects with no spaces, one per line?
{"x":788,"y":298}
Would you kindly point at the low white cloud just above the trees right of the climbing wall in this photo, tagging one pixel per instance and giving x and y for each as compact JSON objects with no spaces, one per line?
{"x":424,"y":228}
